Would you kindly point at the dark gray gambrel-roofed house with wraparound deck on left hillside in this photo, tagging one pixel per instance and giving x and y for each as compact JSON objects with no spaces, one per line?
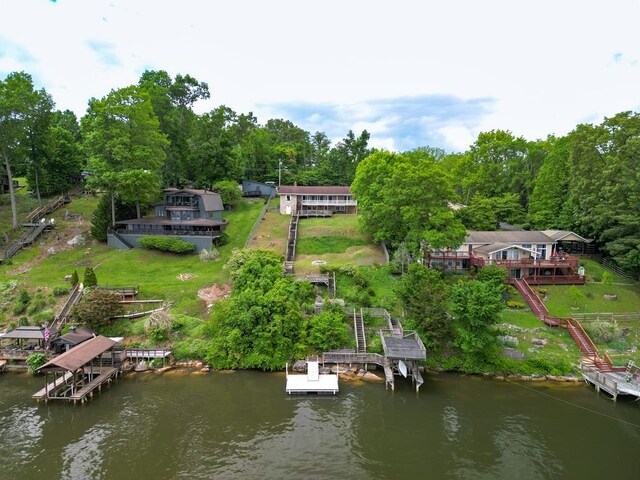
{"x":194,"y":216}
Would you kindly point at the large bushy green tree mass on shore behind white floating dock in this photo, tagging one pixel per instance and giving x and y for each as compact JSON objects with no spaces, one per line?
{"x":263,"y":323}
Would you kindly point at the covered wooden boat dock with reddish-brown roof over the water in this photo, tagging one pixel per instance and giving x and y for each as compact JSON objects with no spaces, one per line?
{"x":77,"y":373}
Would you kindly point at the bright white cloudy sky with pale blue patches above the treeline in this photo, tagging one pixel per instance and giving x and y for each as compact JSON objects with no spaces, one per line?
{"x":412,"y":73}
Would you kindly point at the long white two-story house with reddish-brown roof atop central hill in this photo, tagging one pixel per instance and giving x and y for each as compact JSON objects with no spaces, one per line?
{"x":316,"y":200}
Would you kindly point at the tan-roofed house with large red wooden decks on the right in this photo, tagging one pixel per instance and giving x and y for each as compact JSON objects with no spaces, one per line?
{"x":537,"y":256}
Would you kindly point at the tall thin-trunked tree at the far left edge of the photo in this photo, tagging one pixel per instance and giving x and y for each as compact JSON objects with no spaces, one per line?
{"x":17,"y":102}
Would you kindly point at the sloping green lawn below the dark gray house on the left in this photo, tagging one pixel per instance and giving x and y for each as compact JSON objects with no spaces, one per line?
{"x":155,"y":272}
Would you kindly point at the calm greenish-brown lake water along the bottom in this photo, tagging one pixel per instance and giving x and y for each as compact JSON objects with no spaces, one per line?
{"x":243,"y":425}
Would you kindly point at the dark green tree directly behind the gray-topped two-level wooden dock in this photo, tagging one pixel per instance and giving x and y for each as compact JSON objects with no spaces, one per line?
{"x":424,"y":292}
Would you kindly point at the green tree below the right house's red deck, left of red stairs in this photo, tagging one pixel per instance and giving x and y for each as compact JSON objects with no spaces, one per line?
{"x":476,"y":307}
